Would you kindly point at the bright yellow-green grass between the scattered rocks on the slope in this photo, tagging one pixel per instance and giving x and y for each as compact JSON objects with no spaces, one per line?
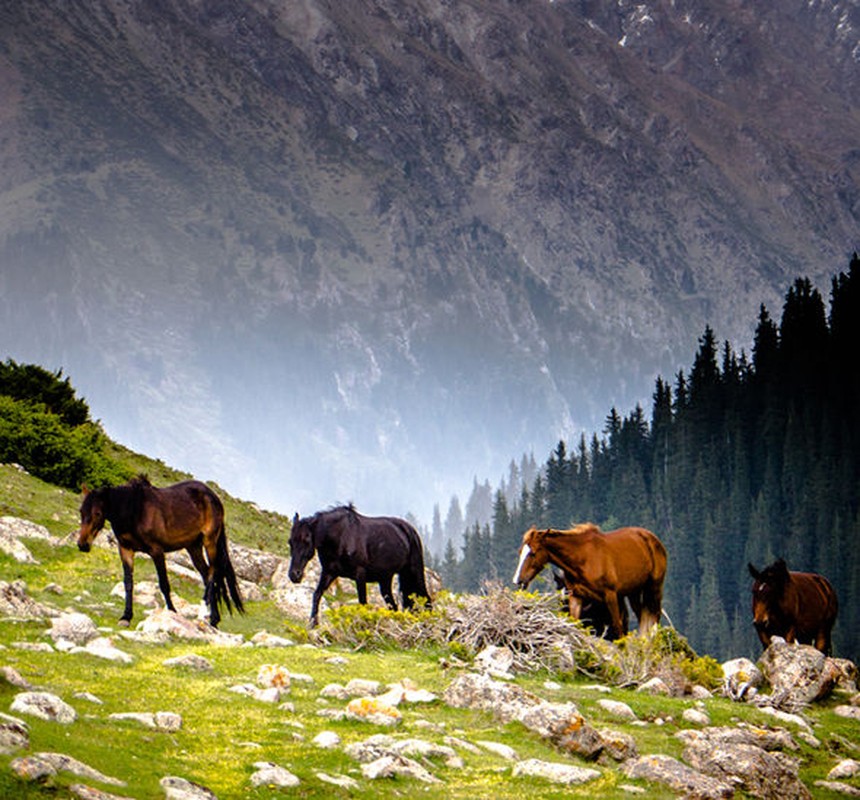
{"x":224,"y":733}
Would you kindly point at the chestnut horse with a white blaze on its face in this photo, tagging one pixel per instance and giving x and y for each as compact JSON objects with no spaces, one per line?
{"x":606,"y":567}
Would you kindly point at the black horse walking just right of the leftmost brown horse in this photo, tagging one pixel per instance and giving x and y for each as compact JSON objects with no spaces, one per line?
{"x":365,"y":549}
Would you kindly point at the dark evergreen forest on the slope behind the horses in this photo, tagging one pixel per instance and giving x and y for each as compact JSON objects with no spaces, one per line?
{"x":740,"y":461}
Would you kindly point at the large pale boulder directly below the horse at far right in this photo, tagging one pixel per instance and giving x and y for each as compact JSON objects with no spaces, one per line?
{"x":798,"y":674}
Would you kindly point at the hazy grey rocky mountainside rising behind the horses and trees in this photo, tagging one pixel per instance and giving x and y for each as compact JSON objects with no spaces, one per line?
{"x":324,"y":251}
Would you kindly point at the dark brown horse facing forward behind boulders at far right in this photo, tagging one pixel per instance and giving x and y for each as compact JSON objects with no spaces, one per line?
{"x":798,"y":606}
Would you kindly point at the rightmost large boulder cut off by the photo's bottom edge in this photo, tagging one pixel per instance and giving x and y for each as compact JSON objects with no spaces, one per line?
{"x":769,"y":775}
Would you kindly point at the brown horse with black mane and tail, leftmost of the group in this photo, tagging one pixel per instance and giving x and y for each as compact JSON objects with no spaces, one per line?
{"x":155,"y":521}
